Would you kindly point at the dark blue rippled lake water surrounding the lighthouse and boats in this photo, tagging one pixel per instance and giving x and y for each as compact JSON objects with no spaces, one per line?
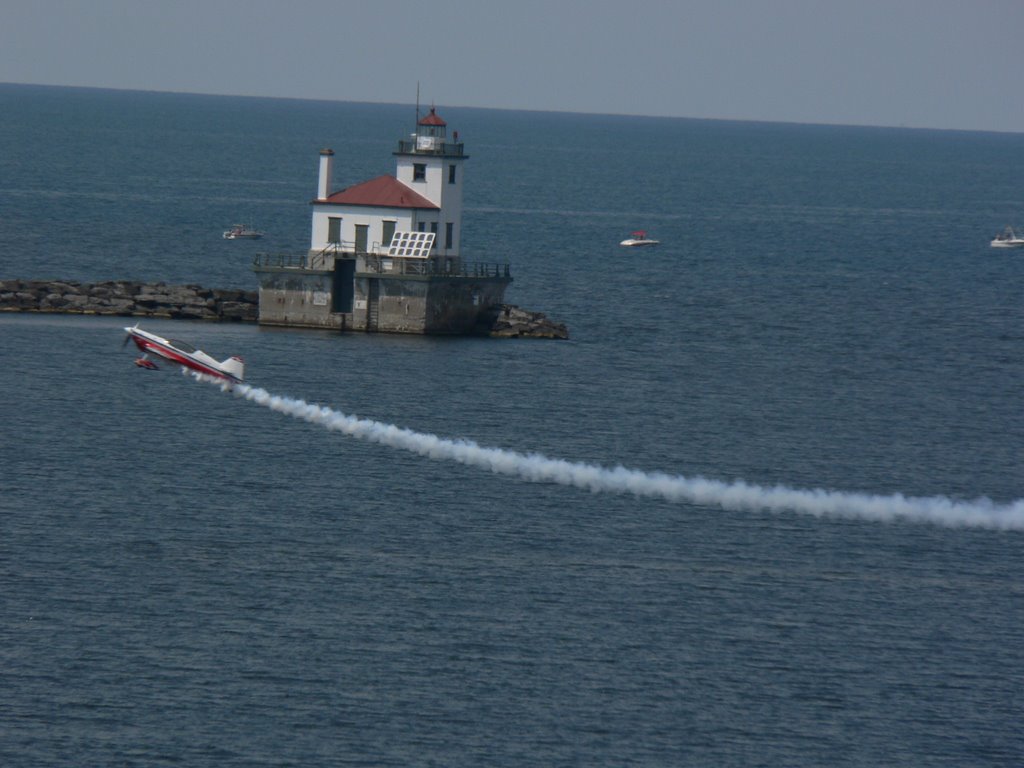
{"x":190,"y":578}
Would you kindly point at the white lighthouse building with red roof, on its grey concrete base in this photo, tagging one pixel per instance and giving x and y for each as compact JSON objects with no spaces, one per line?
{"x":387,"y":254}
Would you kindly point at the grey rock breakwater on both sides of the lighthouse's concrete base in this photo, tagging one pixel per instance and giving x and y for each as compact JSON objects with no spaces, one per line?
{"x":137,"y":300}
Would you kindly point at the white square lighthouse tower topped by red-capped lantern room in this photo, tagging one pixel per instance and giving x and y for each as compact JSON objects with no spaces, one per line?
{"x":433,"y":165}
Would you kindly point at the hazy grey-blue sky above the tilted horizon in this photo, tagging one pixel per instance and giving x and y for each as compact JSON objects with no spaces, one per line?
{"x":937,"y":64}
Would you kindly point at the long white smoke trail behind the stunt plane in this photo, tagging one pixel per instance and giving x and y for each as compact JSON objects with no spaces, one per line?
{"x":738,"y":496}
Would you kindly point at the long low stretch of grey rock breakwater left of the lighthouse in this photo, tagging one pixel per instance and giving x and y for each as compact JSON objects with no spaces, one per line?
{"x":131,"y":300}
